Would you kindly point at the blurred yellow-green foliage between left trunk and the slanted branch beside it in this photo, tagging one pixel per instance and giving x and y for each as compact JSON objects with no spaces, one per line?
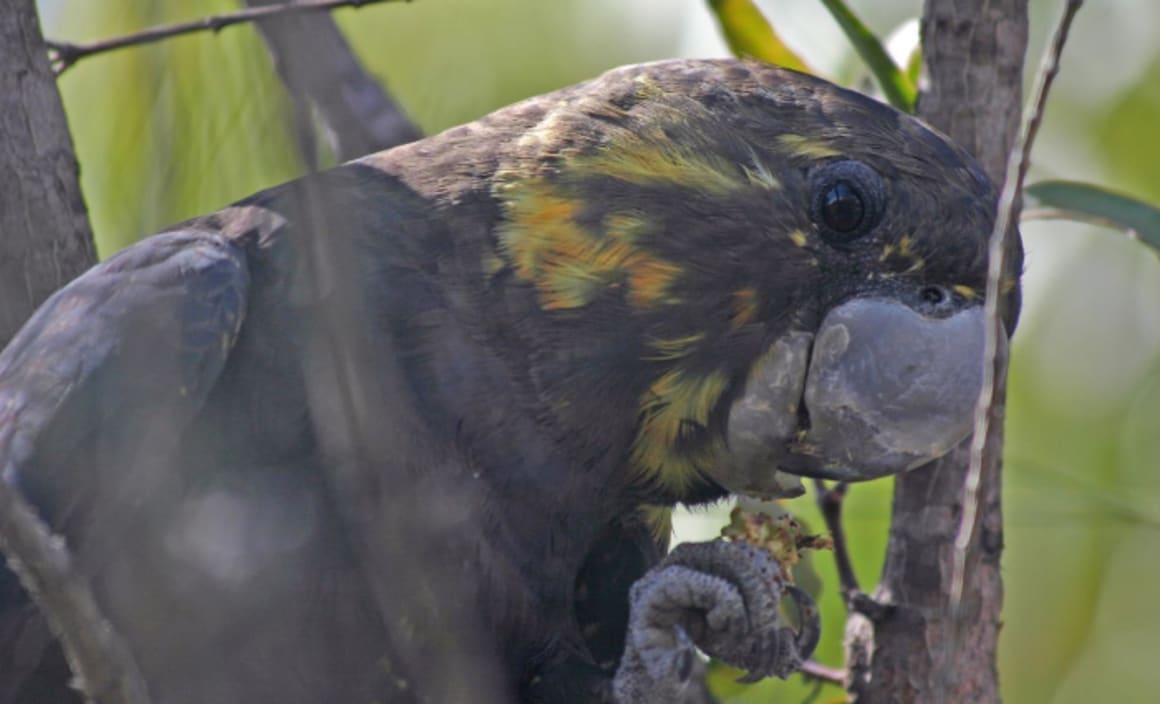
{"x":159,"y":130}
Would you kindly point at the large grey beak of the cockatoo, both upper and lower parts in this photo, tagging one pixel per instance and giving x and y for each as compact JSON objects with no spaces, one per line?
{"x":879,"y":390}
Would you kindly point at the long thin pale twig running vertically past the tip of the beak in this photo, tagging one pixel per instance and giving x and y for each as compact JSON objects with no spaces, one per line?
{"x":1018,"y":163}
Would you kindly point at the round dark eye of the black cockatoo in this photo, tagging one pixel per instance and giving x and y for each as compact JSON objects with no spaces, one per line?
{"x":849,"y":200}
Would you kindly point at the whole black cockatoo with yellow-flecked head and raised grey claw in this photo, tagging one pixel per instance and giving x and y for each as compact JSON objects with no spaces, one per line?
{"x":401,"y":431}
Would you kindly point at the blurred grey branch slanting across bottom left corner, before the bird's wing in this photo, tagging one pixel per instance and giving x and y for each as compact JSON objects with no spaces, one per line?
{"x":104,"y":669}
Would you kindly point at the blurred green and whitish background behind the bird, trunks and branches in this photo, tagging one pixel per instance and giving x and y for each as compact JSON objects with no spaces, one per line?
{"x":187,"y":126}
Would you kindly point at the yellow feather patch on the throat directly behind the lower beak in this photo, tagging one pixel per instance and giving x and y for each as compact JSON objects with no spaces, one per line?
{"x":672,"y":402}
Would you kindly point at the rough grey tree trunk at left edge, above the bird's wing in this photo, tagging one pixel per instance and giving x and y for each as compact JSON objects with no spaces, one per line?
{"x":45,"y":234}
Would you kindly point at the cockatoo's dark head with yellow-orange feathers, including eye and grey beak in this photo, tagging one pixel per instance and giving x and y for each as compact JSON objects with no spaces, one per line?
{"x":786,"y":277}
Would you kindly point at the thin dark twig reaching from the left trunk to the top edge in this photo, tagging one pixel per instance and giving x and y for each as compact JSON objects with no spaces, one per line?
{"x":64,"y":55}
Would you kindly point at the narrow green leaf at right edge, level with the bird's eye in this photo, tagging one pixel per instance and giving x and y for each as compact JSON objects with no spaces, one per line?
{"x":1086,"y":202}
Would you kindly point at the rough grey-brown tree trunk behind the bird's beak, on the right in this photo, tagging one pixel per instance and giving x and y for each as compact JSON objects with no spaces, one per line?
{"x":924,"y":650}
